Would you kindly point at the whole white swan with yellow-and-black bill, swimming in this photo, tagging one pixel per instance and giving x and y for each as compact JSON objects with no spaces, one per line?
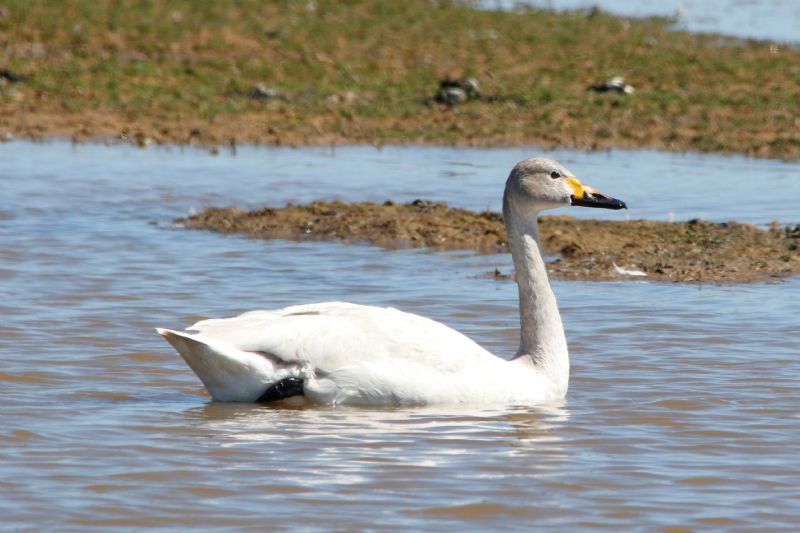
{"x":336,"y":353}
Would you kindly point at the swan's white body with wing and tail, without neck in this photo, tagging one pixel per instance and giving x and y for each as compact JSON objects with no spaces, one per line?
{"x":354,"y":354}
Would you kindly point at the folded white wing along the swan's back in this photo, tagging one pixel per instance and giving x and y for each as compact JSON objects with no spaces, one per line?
{"x":333,"y":336}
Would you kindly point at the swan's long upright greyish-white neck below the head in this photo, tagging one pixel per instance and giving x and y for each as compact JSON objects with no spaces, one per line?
{"x":542,"y":340}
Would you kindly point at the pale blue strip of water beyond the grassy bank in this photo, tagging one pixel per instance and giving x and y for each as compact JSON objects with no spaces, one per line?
{"x":772,"y":20}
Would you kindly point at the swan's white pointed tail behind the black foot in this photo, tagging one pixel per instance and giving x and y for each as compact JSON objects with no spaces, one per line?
{"x":229,"y":374}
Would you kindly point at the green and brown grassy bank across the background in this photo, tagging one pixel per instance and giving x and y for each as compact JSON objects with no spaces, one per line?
{"x":366,"y":72}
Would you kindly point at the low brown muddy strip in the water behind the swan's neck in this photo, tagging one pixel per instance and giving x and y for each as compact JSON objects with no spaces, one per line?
{"x":695,"y":251}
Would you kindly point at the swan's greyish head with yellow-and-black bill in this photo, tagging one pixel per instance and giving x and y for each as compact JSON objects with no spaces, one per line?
{"x":536,"y":184}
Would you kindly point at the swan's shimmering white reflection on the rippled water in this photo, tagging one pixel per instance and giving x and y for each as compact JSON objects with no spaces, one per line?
{"x":325,"y":446}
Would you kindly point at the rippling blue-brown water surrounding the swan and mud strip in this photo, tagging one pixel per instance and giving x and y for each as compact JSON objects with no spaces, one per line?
{"x":682,"y":408}
